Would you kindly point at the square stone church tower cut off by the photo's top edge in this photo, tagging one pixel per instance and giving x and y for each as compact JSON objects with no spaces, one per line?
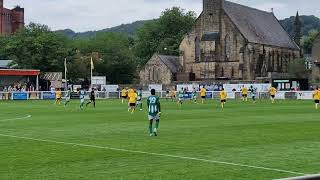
{"x":212,"y":10}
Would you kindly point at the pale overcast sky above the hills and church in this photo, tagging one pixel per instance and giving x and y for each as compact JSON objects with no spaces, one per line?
{"x":84,"y":15}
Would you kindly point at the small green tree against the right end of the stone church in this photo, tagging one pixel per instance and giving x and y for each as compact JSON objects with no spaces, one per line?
{"x":297,"y":69}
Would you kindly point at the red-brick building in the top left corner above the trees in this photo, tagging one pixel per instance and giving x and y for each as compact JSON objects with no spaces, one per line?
{"x":11,"y":20}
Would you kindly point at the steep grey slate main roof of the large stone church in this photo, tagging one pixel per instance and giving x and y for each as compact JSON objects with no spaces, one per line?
{"x":258,"y":26}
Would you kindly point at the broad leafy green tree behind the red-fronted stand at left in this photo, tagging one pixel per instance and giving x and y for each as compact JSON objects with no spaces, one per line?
{"x":36,"y":47}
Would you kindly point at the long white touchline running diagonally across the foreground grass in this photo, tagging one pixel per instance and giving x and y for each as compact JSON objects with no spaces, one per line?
{"x":155,"y":154}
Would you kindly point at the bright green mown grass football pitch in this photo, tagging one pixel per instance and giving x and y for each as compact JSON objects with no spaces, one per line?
{"x":67,"y":143}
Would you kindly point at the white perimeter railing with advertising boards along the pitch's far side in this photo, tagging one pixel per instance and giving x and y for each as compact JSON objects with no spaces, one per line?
{"x":47,"y":95}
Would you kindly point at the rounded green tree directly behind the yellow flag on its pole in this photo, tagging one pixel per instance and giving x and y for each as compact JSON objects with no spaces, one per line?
{"x":117,"y":59}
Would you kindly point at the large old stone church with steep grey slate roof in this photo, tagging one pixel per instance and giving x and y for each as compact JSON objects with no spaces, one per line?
{"x":230,"y":41}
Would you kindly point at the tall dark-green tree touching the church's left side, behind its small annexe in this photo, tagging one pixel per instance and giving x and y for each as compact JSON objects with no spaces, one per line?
{"x":163,"y":35}
